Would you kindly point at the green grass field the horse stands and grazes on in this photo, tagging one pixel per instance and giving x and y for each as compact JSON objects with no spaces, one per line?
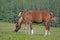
{"x":7,"y":33}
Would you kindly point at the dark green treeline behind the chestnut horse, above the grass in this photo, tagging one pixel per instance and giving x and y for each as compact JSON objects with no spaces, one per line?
{"x":9,"y":9}
